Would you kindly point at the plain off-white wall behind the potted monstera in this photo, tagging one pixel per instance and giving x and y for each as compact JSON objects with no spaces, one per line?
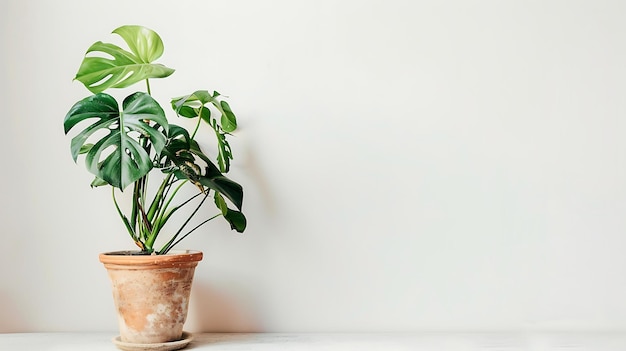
{"x":408,"y":165}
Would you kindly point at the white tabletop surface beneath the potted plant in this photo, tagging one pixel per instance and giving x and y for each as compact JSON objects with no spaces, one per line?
{"x":515,"y":341}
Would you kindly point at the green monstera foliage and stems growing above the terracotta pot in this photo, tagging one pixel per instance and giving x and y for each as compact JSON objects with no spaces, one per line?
{"x":125,"y":145}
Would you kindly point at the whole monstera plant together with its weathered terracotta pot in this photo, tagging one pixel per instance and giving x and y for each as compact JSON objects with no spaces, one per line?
{"x":126,"y":146}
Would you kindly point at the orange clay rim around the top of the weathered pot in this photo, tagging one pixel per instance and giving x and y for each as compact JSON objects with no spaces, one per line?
{"x":125,"y":258}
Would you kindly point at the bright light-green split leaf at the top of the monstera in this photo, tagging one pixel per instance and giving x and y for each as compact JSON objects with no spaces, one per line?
{"x":109,"y":66}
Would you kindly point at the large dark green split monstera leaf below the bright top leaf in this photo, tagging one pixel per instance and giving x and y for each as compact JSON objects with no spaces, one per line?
{"x":118,"y":157}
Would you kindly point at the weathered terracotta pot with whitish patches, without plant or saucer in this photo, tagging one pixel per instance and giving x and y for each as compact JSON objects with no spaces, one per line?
{"x":151,"y":293}
